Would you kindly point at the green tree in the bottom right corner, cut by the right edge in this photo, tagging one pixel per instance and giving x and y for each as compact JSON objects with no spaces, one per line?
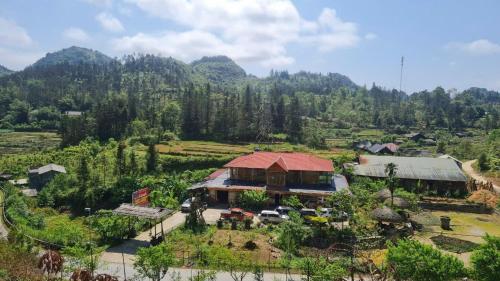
{"x":486,"y":260}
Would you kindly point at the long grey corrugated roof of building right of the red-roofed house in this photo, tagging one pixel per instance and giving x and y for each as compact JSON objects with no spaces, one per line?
{"x":424,"y":168}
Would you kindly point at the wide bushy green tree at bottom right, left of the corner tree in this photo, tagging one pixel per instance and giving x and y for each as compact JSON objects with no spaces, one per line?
{"x":414,"y":261}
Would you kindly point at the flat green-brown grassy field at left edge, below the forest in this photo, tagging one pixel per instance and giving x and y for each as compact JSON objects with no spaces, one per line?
{"x":27,"y":142}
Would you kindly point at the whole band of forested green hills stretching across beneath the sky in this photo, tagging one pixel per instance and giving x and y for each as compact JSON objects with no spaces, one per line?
{"x":213,"y":98}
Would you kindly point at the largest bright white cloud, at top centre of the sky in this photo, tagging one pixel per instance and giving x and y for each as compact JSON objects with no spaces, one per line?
{"x":247,"y":31}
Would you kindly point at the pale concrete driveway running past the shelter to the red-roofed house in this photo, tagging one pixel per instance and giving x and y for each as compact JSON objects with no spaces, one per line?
{"x":129,"y":247}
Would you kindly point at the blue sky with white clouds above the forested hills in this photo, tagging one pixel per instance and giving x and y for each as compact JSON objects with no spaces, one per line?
{"x":450,"y":43}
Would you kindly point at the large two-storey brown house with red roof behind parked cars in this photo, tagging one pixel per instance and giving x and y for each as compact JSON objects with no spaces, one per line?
{"x":279,"y":174}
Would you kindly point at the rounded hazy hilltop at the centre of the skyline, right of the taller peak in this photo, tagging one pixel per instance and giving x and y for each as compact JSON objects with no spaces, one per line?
{"x":219,"y":69}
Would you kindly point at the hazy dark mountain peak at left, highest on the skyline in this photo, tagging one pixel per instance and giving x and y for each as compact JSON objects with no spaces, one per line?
{"x":73,"y":56}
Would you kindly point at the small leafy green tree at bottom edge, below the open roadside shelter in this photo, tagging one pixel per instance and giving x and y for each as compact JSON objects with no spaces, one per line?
{"x":154,"y":262}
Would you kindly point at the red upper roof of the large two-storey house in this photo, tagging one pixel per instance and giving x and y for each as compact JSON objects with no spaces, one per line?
{"x":289,"y":161}
